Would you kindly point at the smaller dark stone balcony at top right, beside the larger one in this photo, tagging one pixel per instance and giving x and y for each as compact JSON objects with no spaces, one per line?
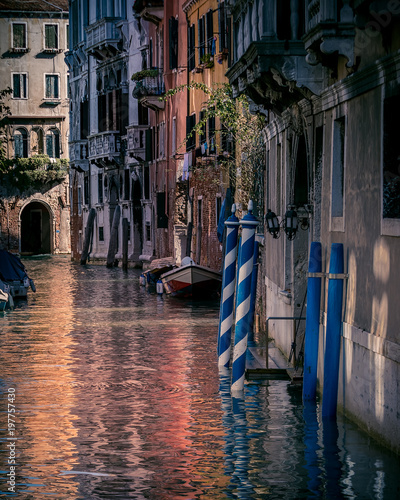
{"x":330,"y":32}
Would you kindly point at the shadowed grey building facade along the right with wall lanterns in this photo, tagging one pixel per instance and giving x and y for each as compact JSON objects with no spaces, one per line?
{"x":327,"y":75}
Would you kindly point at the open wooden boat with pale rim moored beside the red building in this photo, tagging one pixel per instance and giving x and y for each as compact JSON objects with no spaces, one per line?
{"x":192,"y":280}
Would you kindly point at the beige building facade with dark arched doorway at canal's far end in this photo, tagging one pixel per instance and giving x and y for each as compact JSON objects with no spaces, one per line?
{"x":33,"y":39}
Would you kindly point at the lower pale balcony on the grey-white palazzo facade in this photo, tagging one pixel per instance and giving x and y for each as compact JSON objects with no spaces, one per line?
{"x":105,"y":147}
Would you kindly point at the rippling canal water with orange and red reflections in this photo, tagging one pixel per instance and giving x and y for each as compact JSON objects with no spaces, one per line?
{"x":108,"y":391}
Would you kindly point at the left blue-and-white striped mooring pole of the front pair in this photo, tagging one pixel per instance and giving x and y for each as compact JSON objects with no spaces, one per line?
{"x":228,"y":290}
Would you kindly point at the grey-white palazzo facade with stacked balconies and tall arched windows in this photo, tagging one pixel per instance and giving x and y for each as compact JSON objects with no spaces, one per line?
{"x":107,"y":133}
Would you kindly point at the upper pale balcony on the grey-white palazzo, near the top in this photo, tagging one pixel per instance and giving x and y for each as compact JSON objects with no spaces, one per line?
{"x":103,"y":38}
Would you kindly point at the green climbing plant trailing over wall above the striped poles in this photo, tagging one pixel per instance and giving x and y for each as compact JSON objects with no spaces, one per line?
{"x":244,"y":161}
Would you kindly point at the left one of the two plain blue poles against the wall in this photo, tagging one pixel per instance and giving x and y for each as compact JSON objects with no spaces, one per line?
{"x":312,"y":323}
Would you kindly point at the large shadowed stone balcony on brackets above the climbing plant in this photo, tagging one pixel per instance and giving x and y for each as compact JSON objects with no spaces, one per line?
{"x":270,"y":59}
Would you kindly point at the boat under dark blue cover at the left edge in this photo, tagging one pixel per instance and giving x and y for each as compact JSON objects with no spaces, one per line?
{"x":14,"y":275}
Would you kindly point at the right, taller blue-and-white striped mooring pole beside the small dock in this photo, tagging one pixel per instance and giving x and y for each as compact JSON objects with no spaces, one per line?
{"x":246,"y":257}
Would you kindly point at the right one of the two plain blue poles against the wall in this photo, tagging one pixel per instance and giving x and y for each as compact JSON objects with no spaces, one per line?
{"x":333,"y":331}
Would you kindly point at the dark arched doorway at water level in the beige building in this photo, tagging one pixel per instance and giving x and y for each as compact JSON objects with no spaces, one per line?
{"x":35,"y":229}
